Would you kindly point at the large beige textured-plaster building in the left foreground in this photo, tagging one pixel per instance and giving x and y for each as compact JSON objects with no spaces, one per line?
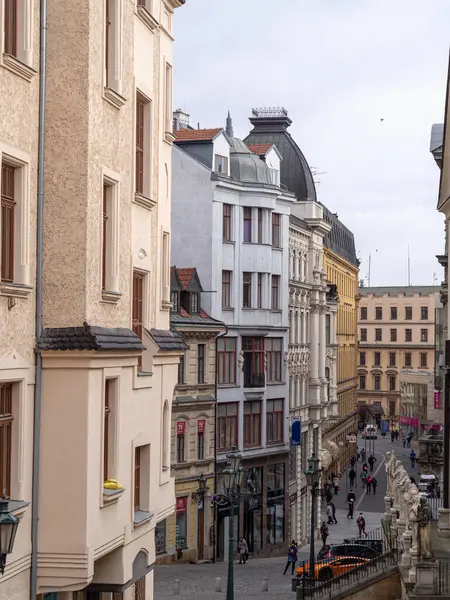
{"x":93,"y":482}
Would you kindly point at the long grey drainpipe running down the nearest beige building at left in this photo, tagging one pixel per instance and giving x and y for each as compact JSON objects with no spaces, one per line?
{"x":39,"y":290}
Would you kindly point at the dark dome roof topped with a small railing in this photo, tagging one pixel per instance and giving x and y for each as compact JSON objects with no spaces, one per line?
{"x":270,"y":126}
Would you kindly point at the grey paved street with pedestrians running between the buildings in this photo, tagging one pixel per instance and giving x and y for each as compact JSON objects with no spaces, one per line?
{"x":197,"y":582}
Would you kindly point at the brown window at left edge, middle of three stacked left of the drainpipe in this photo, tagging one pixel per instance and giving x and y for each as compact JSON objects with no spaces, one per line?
{"x":8,"y":203}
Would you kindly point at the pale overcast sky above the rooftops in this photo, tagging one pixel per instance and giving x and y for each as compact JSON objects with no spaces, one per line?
{"x":338,"y":67}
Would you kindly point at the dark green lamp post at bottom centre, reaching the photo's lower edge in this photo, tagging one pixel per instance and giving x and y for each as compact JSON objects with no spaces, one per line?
{"x":232,"y":478}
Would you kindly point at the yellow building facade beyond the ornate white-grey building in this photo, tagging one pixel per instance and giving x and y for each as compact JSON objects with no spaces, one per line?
{"x":344,"y":275}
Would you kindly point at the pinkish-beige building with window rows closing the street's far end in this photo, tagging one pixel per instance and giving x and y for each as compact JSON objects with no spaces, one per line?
{"x":396,"y":333}
